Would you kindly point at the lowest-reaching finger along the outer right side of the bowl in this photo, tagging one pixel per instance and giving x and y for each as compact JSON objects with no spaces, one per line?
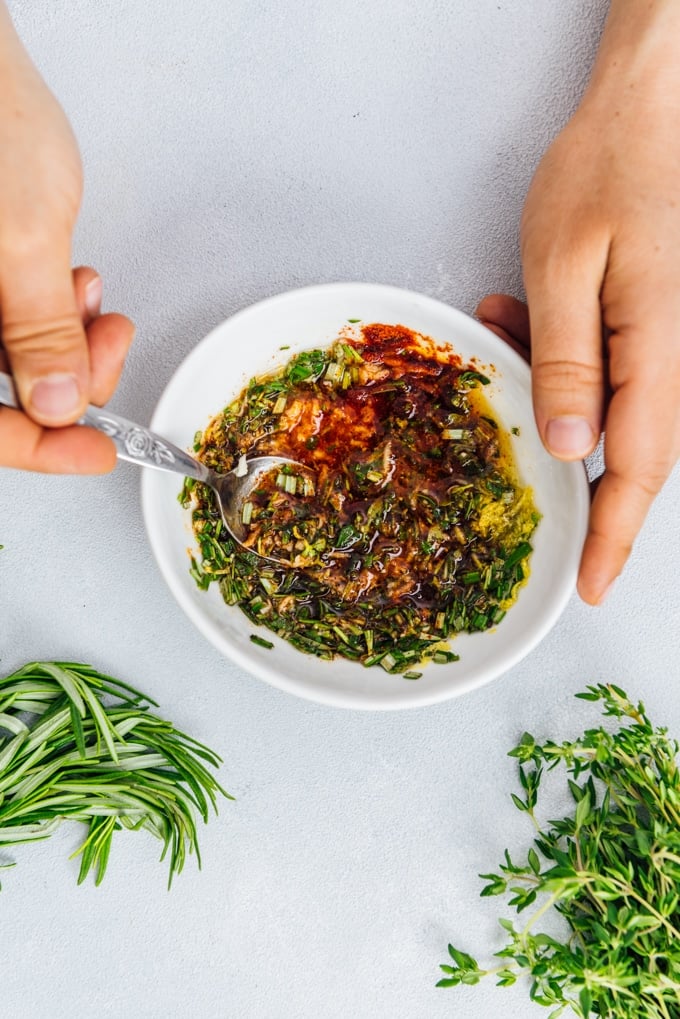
{"x":639,"y":456}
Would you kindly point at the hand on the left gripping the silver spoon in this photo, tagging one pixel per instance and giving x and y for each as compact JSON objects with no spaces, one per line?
{"x":62,"y":352}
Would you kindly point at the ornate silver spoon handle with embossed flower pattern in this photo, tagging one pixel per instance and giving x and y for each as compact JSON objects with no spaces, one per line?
{"x":133,"y":443}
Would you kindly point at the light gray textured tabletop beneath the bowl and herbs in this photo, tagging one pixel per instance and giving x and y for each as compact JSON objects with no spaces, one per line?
{"x":234,"y":150}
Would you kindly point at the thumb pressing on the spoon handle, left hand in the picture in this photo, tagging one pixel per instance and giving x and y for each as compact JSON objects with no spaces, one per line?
{"x":43,"y":336}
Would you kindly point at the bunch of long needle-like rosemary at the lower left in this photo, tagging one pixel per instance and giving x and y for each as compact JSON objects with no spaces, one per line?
{"x":68,"y":754}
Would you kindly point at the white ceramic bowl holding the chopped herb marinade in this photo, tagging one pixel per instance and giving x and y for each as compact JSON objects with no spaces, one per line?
{"x":250,"y":344}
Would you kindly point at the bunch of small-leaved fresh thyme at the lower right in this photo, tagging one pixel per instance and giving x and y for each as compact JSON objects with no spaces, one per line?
{"x":613,"y":873}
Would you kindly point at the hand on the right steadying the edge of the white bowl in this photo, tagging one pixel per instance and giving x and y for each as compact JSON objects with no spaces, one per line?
{"x":601,"y":253}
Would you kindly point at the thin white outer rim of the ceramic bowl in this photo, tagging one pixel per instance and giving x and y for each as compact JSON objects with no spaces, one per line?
{"x":249,"y":661}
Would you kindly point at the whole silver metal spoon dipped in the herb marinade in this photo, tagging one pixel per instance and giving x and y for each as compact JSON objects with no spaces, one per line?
{"x":146,"y":449}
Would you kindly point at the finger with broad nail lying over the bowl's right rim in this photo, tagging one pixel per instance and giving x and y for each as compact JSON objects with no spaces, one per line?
{"x":567,"y":369}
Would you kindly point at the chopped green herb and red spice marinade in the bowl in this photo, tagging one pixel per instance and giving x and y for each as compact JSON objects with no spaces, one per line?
{"x":412,"y":528}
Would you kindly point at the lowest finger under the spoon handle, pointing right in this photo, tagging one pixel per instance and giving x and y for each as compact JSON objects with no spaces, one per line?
{"x":25,"y":446}
